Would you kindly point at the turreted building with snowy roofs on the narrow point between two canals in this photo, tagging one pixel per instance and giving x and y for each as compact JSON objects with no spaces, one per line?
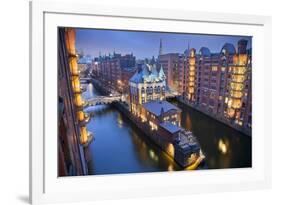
{"x":159,"y":118}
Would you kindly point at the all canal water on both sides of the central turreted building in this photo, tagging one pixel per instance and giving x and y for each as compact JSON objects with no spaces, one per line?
{"x":120,"y":147}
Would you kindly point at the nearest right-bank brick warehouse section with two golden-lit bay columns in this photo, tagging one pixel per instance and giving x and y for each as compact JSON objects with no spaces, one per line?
{"x":222,"y":84}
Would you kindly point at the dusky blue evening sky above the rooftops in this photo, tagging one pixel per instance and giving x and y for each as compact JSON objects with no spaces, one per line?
{"x":146,"y":44}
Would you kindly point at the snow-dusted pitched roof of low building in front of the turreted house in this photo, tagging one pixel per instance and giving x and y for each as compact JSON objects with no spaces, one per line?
{"x":157,"y":106}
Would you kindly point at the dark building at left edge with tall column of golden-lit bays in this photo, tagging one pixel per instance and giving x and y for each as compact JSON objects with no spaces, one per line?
{"x":73,"y":136}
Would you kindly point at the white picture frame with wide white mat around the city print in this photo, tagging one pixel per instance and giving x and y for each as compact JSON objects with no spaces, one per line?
{"x":46,"y":187}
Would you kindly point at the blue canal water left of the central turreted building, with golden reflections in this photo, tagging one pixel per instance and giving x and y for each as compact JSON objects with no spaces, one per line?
{"x":120,"y":147}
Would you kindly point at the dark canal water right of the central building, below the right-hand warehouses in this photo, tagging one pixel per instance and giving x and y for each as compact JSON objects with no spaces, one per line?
{"x":223,"y":146}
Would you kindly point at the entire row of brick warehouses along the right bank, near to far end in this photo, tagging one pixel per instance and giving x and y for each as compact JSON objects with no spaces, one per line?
{"x":218,"y":84}
